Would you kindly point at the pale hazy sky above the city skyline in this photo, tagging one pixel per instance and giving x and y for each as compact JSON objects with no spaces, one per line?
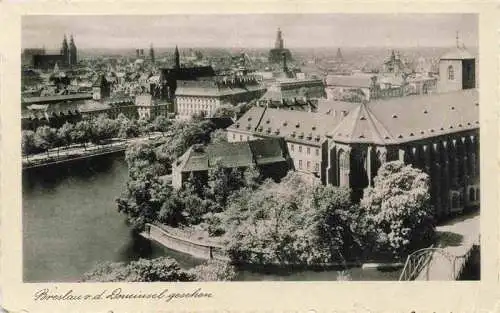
{"x":256,"y":30}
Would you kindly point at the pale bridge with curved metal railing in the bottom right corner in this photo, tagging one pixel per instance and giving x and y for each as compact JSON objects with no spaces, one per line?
{"x":458,"y":243}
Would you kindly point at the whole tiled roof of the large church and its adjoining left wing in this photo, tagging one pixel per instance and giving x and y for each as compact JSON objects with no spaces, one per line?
{"x":392,"y":121}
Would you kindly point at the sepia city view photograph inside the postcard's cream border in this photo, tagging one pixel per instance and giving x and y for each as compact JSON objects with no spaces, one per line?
{"x":250,"y":147}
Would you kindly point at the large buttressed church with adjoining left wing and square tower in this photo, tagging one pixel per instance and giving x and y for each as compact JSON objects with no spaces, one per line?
{"x":346,"y":144}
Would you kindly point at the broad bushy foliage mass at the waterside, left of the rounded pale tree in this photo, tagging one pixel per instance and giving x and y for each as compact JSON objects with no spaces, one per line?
{"x":288,"y":222}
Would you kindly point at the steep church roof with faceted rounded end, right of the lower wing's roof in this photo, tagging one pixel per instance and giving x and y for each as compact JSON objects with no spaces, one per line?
{"x":410,"y":118}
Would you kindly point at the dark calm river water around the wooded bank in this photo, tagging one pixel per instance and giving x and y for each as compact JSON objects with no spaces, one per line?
{"x":70,"y":224}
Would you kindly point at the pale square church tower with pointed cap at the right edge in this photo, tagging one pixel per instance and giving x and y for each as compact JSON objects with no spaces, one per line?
{"x":457,"y":69}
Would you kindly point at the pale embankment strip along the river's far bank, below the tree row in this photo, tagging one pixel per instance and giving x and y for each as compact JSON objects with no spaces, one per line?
{"x":78,"y":152}
